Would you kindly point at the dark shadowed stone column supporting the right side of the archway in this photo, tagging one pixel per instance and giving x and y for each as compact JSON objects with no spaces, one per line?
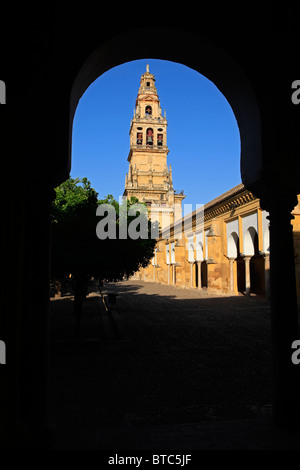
{"x":286,"y":409}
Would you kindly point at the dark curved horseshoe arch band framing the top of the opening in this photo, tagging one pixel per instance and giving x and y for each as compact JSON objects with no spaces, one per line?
{"x":209,"y":60}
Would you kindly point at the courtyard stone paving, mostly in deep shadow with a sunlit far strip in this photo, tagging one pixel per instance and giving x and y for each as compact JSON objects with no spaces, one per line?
{"x":164,"y":368}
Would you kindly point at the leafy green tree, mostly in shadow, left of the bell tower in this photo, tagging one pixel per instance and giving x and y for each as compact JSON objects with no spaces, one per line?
{"x":77,"y":250}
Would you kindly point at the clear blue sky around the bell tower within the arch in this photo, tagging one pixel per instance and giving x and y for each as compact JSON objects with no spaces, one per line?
{"x":203,"y":136}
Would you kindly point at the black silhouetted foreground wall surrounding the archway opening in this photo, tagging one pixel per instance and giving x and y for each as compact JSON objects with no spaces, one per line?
{"x":249,"y":52}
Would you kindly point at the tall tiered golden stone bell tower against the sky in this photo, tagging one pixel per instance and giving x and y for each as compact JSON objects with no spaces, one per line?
{"x":149,"y":177}
